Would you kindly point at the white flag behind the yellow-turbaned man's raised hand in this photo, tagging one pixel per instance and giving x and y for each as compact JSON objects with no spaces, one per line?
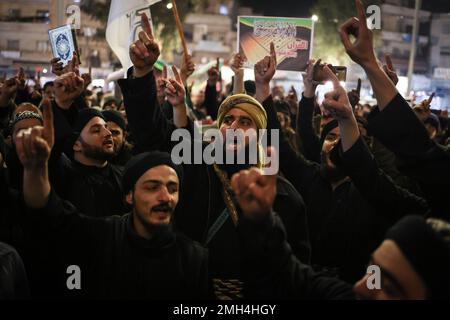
{"x":124,"y":24}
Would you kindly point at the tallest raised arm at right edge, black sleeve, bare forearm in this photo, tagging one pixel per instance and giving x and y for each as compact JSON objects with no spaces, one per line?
{"x":395,"y":124}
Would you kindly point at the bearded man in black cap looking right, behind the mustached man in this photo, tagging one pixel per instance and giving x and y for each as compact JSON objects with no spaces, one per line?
{"x":85,"y":177}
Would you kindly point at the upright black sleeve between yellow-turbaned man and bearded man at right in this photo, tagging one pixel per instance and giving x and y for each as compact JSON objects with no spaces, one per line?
{"x":305,"y":130}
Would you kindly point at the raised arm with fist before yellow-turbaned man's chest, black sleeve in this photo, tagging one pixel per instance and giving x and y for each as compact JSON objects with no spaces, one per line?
{"x":270,"y":269}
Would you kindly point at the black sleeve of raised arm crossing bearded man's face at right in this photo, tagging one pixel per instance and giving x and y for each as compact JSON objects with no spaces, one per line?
{"x":377,"y":187}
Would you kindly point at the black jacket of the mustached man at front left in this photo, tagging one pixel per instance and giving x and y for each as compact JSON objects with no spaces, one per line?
{"x":114,"y":261}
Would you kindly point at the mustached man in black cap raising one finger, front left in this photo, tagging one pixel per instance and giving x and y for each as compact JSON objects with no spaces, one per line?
{"x":137,"y":255}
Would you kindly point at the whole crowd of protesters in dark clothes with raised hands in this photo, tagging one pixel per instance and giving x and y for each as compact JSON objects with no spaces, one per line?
{"x":89,"y":181}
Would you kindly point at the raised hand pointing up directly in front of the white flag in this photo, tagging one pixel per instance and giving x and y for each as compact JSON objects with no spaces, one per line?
{"x":145,"y":51}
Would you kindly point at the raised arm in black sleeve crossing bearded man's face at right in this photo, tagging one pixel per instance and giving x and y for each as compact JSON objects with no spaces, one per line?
{"x":380,"y":191}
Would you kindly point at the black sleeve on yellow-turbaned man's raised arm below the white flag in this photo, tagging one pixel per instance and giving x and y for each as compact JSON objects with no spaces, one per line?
{"x":148,"y":125}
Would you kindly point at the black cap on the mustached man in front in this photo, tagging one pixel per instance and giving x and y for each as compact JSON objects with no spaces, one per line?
{"x":143,"y":162}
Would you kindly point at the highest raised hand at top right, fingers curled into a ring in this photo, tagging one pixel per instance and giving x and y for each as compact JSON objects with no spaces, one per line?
{"x":361,"y":50}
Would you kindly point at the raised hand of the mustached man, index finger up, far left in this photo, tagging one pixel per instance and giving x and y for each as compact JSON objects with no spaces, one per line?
{"x":34,"y":145}
